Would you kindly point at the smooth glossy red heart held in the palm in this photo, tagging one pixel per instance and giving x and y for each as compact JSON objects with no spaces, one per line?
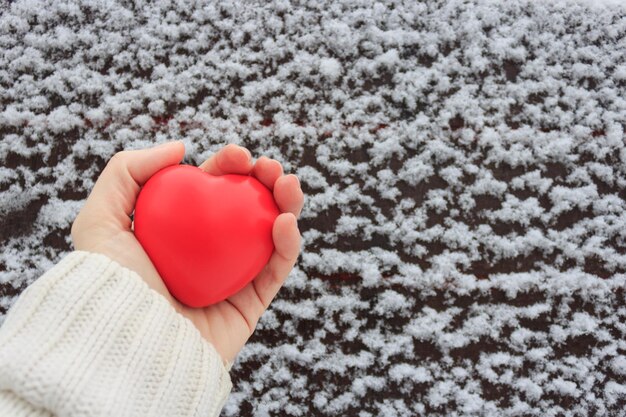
{"x":208,"y":236}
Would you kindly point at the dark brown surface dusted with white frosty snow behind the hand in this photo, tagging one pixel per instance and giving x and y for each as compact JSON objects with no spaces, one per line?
{"x":464,"y":166}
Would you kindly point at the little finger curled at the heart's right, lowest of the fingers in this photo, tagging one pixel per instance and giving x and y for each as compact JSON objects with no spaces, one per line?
{"x":286,"y":250}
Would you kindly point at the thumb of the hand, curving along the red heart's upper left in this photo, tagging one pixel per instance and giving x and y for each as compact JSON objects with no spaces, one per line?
{"x":114,"y":195}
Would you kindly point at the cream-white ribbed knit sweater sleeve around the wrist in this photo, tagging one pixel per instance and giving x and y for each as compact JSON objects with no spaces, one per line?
{"x":89,"y":338}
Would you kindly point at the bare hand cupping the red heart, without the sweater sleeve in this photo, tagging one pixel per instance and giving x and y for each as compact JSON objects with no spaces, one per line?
{"x":104,"y":226}
